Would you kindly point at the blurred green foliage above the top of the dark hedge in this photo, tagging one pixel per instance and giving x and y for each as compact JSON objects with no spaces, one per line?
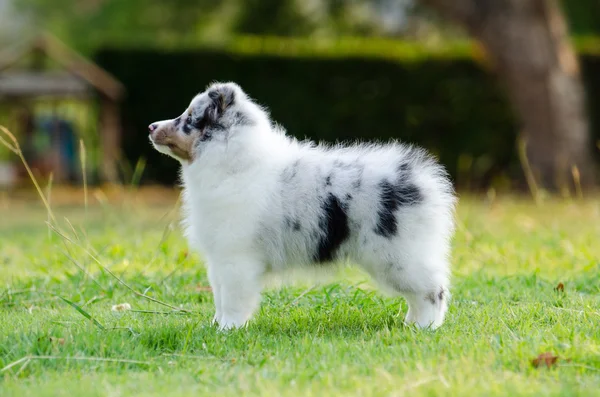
{"x":89,"y":23}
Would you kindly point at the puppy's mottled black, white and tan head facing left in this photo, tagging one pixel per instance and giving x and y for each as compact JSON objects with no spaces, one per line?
{"x":208,"y":120}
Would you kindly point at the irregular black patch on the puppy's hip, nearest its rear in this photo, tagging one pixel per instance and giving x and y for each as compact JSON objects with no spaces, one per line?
{"x":392,"y":197}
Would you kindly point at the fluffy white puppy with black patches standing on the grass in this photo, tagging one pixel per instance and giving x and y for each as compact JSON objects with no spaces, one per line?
{"x":258,"y":202}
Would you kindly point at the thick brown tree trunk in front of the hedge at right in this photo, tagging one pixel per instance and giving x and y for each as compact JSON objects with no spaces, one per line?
{"x":528,"y":43}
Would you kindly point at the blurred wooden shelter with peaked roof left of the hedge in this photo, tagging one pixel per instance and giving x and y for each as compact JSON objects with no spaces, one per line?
{"x":45,"y":68}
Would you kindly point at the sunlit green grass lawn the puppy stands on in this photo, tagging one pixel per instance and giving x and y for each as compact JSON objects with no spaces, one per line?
{"x":341,"y":338}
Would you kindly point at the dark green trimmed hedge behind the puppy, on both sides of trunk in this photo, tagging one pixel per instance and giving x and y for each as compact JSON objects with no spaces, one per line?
{"x":448,"y":103}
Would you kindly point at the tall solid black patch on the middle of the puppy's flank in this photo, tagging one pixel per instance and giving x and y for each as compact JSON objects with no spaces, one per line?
{"x":334,"y":228}
